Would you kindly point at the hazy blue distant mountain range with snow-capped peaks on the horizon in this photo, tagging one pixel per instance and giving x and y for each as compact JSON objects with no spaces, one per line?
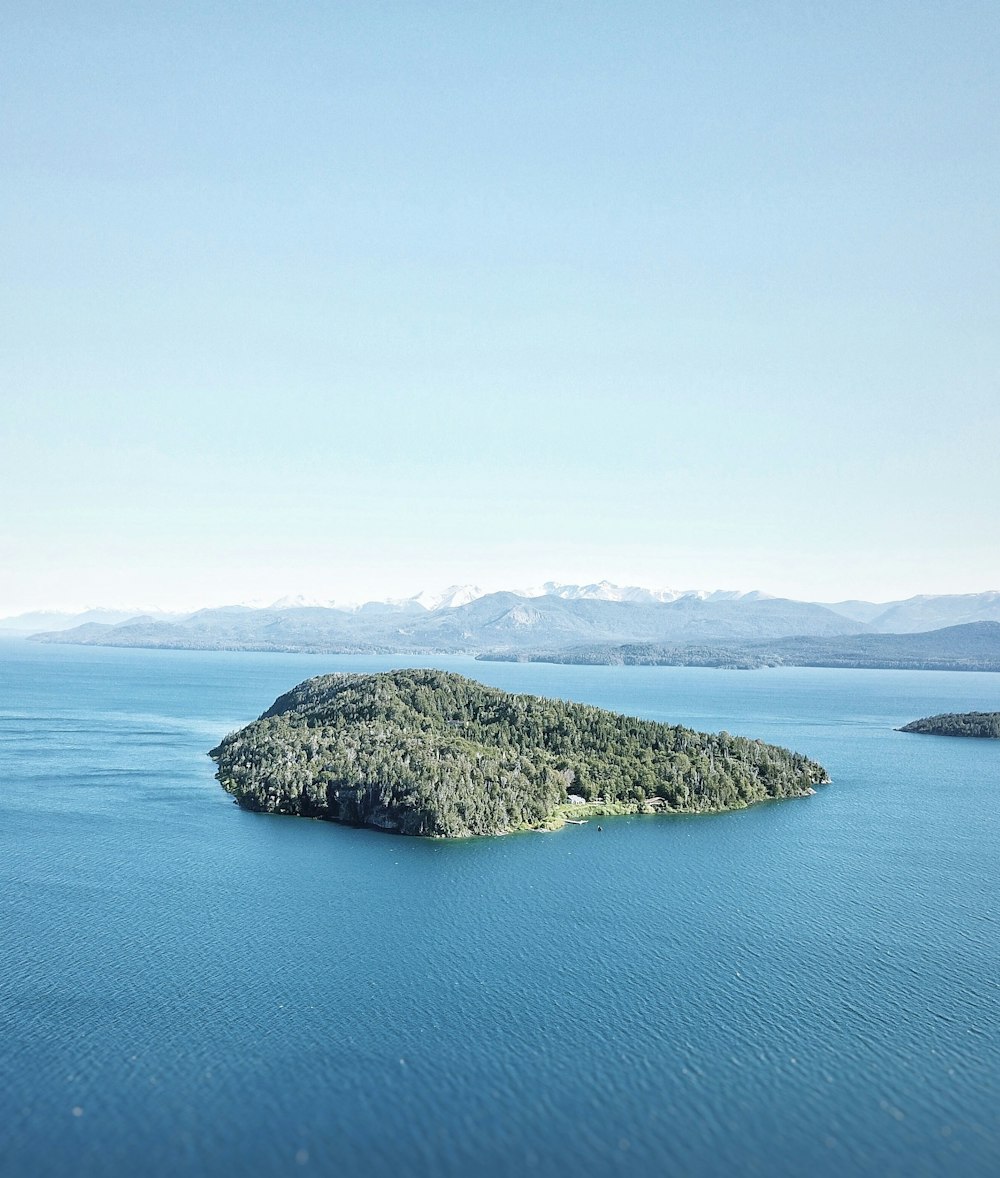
{"x":555,"y":618}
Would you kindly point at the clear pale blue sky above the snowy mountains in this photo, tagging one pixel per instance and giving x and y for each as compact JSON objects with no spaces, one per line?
{"x":349,"y":300}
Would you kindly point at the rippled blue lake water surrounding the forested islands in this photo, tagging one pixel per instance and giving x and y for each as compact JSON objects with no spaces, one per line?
{"x":806,"y":988}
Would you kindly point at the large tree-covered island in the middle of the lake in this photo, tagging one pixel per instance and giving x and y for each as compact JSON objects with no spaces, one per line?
{"x":433,"y":753}
